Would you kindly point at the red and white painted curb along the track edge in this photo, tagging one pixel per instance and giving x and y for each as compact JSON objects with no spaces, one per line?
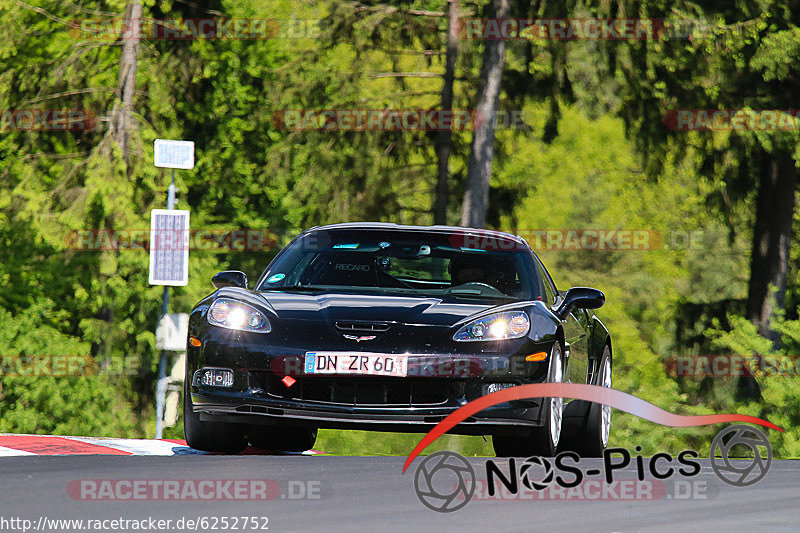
{"x":19,"y":445}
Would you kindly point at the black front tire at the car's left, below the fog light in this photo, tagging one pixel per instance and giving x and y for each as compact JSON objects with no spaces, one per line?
{"x":210,"y":436}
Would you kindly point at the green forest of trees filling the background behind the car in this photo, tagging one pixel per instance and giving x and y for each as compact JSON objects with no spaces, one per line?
{"x":572,"y":168}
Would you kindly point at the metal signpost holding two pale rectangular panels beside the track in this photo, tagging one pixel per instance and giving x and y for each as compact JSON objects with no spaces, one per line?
{"x":169,"y":251}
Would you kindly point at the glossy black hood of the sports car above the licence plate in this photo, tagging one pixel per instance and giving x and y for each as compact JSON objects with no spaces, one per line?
{"x":319,"y":321}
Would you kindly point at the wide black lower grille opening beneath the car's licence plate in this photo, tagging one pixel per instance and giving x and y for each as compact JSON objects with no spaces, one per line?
{"x":361,"y":391}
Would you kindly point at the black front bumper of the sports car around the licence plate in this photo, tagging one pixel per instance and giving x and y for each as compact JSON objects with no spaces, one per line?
{"x":436,"y":386}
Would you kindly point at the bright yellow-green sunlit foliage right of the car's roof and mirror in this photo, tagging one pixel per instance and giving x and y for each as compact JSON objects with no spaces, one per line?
{"x":690,"y":261}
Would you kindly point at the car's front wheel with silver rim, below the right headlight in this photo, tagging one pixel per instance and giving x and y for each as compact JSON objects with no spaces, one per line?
{"x":543,"y":440}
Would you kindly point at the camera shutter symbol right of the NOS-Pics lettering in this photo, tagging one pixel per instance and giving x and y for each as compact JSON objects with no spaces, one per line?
{"x":740,"y":472}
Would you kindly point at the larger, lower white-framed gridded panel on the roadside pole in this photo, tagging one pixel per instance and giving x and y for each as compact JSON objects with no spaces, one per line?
{"x":169,"y":247}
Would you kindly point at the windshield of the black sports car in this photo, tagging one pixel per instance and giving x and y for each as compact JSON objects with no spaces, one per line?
{"x":408,"y":262}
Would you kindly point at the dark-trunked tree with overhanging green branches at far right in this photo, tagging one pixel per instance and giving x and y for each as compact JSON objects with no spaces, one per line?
{"x":739,"y":58}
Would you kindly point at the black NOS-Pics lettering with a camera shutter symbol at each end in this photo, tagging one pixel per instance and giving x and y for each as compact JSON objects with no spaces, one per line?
{"x":446,"y":481}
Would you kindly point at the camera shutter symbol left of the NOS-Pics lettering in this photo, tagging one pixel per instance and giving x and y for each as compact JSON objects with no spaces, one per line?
{"x":456,"y":481}
